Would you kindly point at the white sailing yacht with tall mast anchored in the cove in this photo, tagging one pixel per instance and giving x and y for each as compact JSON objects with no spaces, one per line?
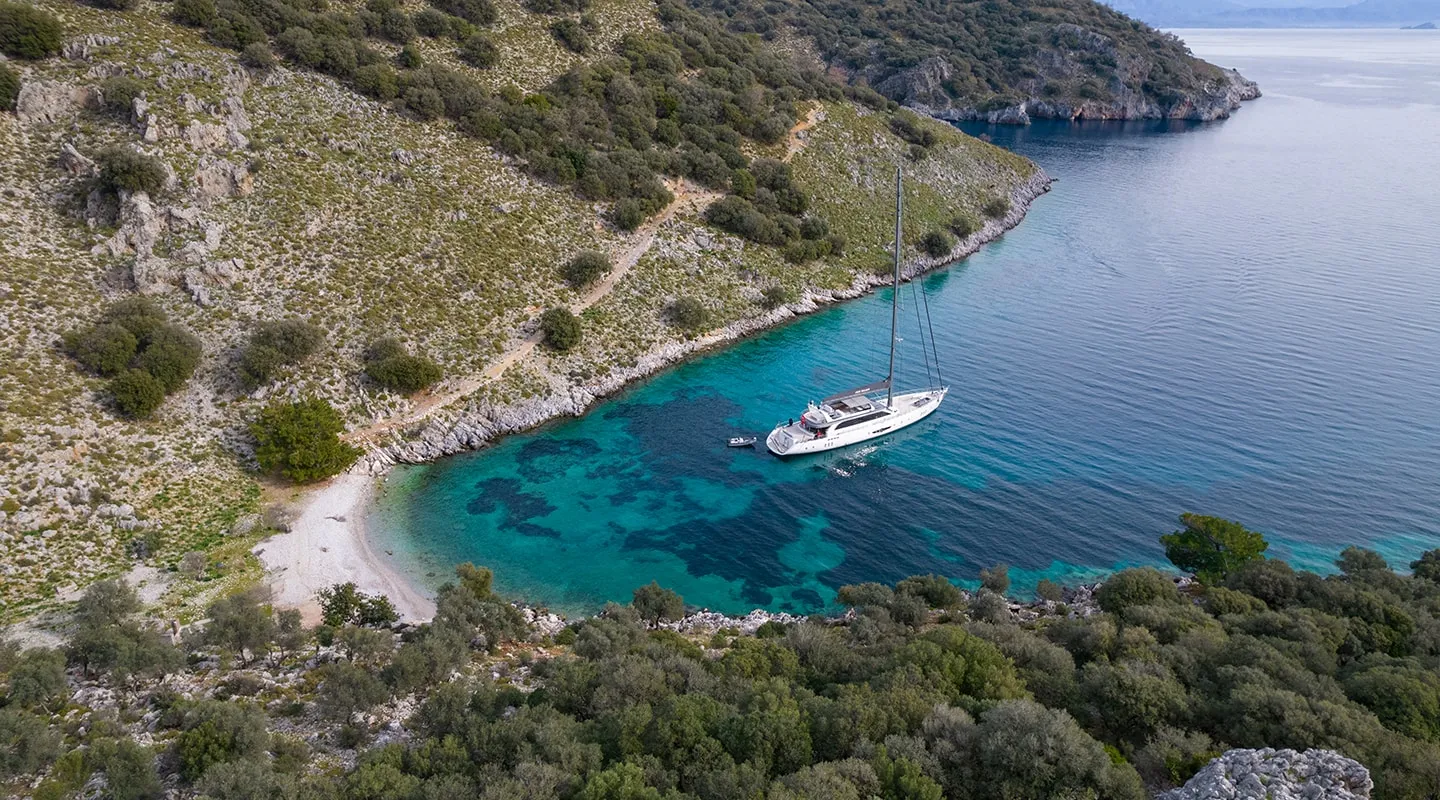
{"x":862,"y":414}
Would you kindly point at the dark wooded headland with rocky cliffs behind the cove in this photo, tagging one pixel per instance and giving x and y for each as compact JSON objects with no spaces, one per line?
{"x":1006,"y":61}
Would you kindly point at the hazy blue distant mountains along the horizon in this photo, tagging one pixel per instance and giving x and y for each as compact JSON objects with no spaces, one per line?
{"x":1295,"y":14}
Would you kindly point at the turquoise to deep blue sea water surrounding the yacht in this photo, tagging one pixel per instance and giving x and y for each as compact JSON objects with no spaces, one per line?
{"x":1239,"y":319}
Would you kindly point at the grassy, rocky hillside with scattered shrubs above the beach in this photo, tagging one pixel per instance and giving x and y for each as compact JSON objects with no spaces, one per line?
{"x":356,"y":202}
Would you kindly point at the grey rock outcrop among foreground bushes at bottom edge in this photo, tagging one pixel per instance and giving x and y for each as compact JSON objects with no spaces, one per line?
{"x":1278,"y":775}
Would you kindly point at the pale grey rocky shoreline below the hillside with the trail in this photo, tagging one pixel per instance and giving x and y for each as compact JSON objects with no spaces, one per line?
{"x":480,"y":424}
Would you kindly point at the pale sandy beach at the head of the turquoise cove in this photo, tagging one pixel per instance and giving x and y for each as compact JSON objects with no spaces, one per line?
{"x":328,"y":545}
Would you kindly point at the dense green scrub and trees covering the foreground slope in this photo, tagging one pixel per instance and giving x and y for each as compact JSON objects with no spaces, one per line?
{"x":925,"y":691}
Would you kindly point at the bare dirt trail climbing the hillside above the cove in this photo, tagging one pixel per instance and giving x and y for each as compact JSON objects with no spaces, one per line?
{"x":688,"y":198}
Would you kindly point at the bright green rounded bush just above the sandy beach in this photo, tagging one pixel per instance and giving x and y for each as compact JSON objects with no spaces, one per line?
{"x":302,"y":441}
